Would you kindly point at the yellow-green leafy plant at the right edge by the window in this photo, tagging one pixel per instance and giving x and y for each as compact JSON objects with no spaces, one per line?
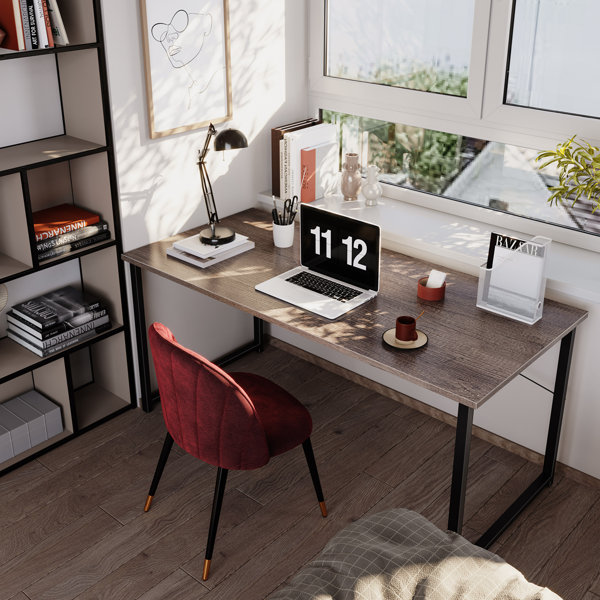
{"x":578,"y":171}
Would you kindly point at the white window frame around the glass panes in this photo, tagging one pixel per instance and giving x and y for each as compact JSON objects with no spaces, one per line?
{"x":481,"y":115}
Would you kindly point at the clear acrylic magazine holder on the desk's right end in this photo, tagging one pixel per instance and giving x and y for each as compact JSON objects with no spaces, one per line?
{"x":514,"y":287}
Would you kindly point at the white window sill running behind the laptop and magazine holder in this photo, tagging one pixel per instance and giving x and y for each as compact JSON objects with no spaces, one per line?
{"x":460,"y":243}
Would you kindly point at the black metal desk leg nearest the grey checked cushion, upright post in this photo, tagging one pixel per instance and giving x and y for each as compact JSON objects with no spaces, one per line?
{"x":462,"y":447}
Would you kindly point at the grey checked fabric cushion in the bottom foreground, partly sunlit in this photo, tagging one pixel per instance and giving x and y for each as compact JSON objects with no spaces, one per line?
{"x":400,"y":555}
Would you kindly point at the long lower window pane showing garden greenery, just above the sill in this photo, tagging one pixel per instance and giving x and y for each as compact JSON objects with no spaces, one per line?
{"x":481,"y":172}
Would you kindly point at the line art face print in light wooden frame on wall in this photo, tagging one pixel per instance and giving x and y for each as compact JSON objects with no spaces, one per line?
{"x":186,"y":51}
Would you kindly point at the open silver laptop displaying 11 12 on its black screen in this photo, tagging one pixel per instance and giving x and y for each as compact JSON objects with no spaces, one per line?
{"x":339,"y":265}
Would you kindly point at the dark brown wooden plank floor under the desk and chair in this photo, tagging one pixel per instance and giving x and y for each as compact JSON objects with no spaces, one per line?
{"x":72,"y":524}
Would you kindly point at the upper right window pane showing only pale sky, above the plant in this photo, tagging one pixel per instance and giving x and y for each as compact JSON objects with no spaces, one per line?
{"x":554,"y":56}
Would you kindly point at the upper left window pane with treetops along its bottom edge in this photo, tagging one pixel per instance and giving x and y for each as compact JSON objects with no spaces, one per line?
{"x":416,"y":44}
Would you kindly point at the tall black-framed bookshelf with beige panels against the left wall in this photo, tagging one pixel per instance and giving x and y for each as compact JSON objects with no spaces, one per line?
{"x":67,"y":156}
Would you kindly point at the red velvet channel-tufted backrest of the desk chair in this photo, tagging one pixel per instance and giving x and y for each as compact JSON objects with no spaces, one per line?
{"x":206,"y":412}
